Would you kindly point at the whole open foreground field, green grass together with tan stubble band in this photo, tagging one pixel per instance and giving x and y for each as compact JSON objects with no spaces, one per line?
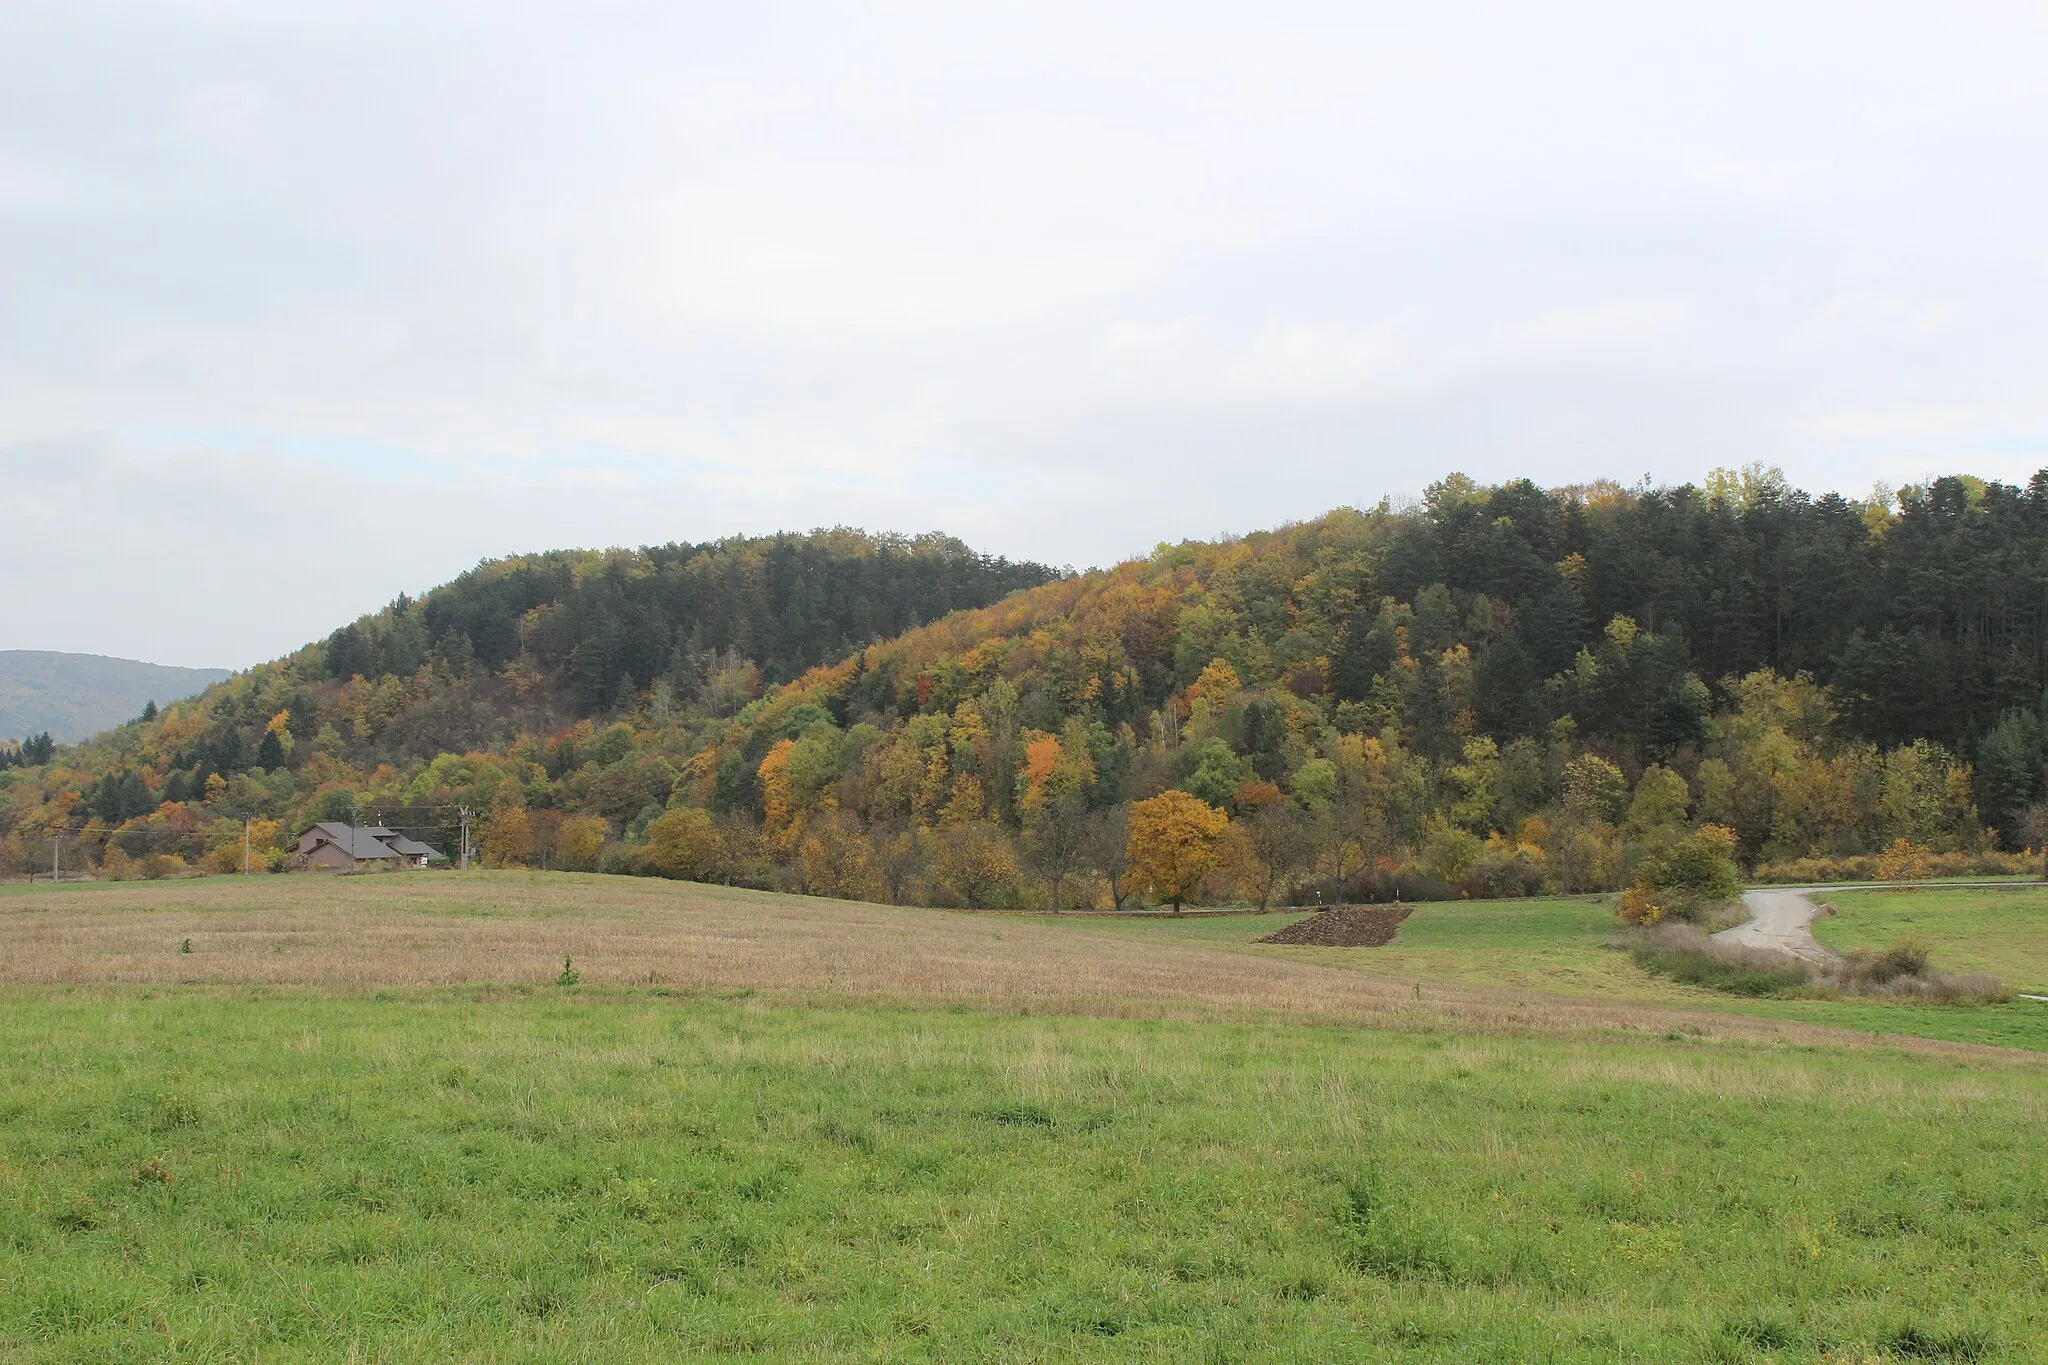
{"x":361,"y":1120}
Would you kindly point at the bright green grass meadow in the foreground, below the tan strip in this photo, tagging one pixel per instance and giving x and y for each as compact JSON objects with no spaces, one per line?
{"x":640,"y":1176}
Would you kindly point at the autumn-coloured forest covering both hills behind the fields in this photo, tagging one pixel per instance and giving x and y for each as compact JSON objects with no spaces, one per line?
{"x":1494,"y":693}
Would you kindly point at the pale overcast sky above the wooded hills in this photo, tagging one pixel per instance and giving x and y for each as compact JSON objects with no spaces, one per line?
{"x":304,"y":306}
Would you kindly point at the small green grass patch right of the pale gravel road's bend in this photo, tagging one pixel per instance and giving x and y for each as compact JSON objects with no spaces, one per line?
{"x":2000,"y":932}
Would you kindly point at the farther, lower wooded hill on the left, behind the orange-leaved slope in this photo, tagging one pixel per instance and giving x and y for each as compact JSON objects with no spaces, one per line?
{"x":529,"y":646}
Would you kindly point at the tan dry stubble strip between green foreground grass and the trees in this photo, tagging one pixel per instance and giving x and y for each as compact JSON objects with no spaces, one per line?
{"x":517,"y":930}
